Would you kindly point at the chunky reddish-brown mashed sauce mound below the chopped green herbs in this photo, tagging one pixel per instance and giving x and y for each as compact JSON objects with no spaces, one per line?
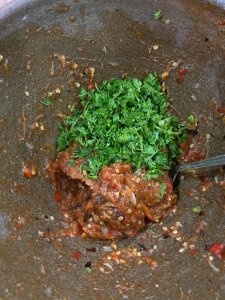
{"x":117,"y":204}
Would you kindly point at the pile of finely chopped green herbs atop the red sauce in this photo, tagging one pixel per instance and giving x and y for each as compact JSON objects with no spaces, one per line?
{"x":124,"y":121}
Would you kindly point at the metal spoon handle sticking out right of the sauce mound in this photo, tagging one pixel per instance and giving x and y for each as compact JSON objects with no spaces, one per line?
{"x":216,"y":161}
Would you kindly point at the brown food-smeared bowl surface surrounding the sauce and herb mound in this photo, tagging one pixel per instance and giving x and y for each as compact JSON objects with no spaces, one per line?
{"x":30,"y":266}
